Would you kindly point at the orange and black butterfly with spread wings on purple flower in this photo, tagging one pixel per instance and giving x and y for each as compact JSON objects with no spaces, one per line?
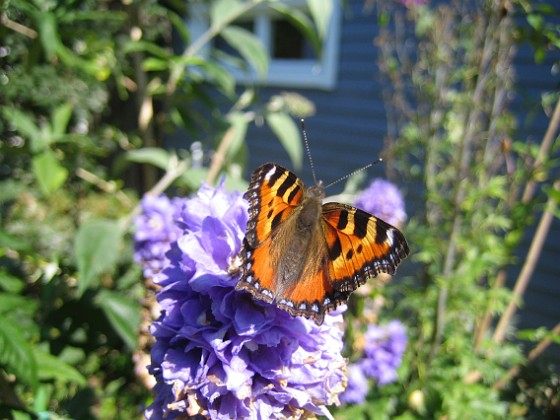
{"x":305,"y":256}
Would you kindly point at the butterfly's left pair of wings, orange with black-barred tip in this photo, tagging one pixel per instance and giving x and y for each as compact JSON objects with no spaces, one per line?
{"x":274,"y":195}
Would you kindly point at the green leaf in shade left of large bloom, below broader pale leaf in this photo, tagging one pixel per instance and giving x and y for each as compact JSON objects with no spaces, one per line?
{"x":122,"y":312}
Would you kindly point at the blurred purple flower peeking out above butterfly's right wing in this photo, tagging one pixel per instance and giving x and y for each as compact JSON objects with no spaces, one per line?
{"x":384,"y":200}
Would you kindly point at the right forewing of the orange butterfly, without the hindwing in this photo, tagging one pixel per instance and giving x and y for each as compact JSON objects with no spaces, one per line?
{"x":360,"y":246}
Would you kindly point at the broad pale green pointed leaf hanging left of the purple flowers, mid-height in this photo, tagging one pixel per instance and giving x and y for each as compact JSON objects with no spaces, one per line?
{"x":97,"y":245}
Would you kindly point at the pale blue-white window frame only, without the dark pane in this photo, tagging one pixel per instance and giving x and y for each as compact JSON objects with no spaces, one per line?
{"x":290,"y":73}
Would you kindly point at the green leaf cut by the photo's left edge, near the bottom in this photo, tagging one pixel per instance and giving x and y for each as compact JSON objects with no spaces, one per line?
{"x":16,"y":354}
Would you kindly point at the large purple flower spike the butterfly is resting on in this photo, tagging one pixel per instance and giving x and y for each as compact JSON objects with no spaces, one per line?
{"x":219,"y":353}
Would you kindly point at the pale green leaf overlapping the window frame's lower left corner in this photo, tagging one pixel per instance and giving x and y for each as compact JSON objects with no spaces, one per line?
{"x":249,"y":46}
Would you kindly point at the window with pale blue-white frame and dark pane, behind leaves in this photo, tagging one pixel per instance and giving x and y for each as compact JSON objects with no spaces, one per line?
{"x":293,"y":62}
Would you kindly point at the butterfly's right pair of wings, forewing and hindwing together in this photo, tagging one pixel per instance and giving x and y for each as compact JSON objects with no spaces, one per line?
{"x":355,"y":246}
